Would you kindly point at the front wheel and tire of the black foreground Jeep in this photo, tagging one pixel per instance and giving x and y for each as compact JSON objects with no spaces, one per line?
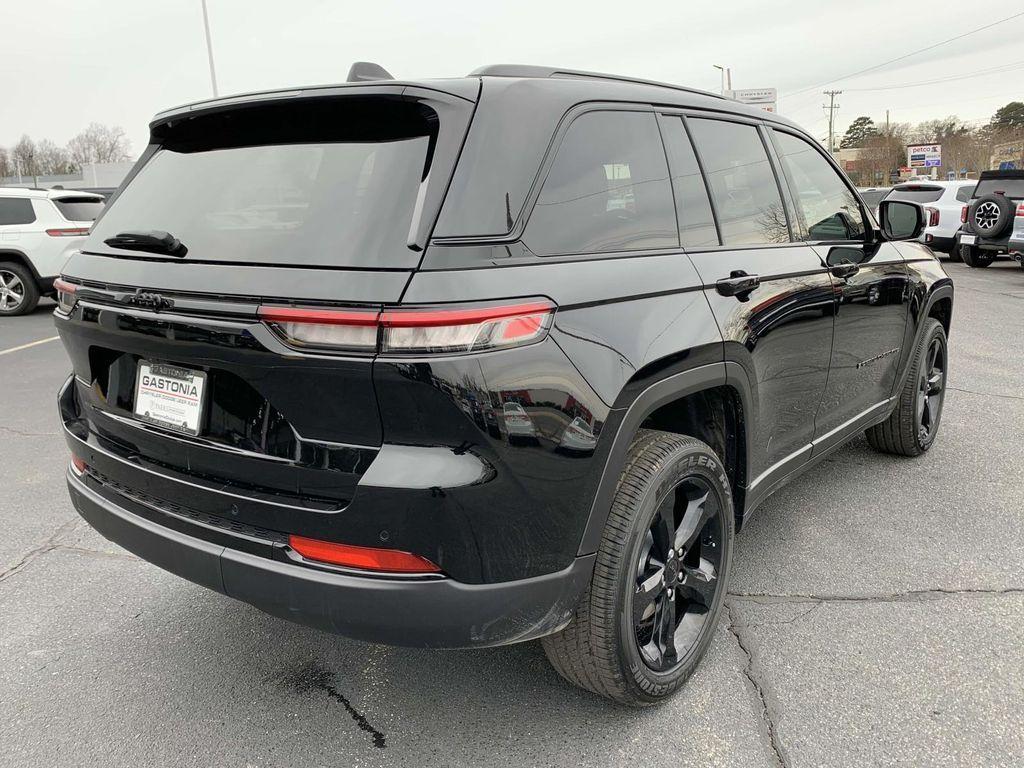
{"x":914,"y":425}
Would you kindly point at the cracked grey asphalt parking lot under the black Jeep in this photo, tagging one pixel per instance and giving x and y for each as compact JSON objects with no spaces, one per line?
{"x":877,"y":618}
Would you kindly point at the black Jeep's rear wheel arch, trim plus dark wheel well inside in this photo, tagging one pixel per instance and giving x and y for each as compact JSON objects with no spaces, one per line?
{"x":674,"y":404}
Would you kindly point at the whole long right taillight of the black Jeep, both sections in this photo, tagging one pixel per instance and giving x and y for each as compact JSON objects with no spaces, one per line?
{"x":413,"y":330}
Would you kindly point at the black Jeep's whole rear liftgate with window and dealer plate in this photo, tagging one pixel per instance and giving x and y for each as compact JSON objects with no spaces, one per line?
{"x":311,"y":199}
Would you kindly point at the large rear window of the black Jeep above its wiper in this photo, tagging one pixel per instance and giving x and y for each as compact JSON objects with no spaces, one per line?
{"x":325,"y":185}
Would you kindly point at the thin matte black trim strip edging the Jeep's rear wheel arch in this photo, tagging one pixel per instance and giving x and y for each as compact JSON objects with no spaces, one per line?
{"x":668,"y":390}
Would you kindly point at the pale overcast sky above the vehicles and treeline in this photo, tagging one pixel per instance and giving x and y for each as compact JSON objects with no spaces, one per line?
{"x":65,"y":64}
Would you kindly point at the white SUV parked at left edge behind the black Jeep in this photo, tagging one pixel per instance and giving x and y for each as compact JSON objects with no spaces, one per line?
{"x":38,"y":231}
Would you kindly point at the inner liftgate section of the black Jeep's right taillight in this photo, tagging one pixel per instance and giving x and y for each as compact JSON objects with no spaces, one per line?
{"x":343,"y":330}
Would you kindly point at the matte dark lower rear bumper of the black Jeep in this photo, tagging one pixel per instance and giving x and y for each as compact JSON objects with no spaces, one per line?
{"x":419,"y":613}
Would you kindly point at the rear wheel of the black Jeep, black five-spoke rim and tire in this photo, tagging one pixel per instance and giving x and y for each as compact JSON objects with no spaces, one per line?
{"x":607,"y":649}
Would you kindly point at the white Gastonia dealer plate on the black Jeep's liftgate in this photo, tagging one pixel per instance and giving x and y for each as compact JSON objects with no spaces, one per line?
{"x":170,"y":397}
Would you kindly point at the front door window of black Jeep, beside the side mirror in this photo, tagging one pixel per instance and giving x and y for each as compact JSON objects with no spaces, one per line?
{"x":829,"y":208}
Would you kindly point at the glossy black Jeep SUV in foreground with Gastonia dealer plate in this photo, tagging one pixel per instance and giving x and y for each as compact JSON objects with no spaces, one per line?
{"x":465,"y":363}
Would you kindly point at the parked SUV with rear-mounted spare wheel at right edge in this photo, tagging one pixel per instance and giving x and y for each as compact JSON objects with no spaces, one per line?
{"x":994,"y":220}
